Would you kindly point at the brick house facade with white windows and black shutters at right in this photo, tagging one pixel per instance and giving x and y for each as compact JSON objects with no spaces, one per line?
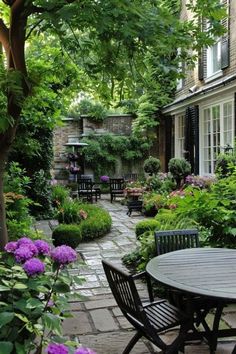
{"x":200,"y":122}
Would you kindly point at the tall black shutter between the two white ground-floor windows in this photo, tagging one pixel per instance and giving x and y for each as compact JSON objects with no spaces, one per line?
{"x":192,"y":137}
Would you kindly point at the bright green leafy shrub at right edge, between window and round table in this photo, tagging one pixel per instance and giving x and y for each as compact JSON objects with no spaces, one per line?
{"x":213,"y":210}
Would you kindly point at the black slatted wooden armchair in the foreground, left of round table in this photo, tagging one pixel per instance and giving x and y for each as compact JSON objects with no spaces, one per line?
{"x":148,"y":319}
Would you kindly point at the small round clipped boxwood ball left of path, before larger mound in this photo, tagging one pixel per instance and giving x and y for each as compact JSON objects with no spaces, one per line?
{"x":67,"y":234}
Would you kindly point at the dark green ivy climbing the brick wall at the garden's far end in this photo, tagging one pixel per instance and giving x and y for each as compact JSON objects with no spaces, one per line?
{"x":102,"y":152}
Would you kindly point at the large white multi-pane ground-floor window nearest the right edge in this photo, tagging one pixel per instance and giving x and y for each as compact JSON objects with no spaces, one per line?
{"x":217,"y":132}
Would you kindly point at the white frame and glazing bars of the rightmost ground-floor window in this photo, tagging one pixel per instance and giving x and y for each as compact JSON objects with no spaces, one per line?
{"x":223,"y":132}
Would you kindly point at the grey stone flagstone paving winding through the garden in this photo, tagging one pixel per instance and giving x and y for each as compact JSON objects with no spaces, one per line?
{"x":98,"y":323}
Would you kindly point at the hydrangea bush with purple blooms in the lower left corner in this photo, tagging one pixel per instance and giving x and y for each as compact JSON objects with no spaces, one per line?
{"x":35,"y":287}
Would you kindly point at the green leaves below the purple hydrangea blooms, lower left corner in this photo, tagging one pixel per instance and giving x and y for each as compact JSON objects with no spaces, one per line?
{"x":31,"y":306}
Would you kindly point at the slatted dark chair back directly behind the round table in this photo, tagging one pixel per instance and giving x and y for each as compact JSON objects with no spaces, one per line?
{"x":173,"y":240}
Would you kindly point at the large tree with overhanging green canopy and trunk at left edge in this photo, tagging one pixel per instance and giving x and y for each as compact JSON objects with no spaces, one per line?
{"x":117,"y":48}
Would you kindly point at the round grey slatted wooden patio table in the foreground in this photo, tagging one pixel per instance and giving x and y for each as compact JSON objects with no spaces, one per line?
{"x":207,"y":272}
